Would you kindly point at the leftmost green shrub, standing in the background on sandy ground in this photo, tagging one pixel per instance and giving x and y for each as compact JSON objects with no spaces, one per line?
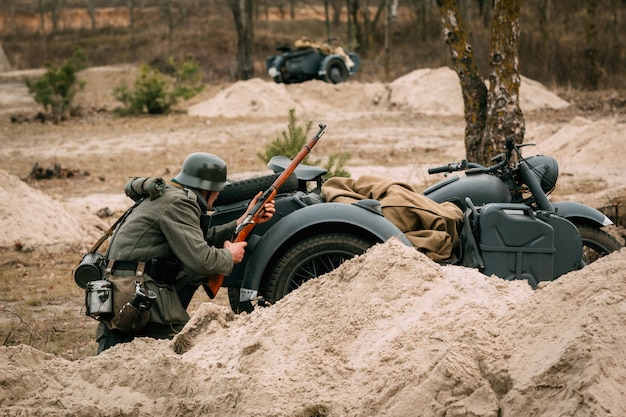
{"x":56,"y":89}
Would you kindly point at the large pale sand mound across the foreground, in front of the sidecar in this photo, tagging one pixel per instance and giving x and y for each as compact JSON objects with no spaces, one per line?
{"x":388,"y":333}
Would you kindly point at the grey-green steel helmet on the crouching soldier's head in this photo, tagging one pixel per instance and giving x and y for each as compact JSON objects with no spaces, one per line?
{"x":203,"y":171}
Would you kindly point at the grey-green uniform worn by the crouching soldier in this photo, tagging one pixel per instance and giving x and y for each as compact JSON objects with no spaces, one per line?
{"x":169,"y":228}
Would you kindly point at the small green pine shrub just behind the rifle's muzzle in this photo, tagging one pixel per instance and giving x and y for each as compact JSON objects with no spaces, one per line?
{"x":291,"y":141}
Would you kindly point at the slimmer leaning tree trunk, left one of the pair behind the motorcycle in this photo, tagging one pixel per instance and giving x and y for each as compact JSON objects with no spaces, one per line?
{"x":472,"y":85}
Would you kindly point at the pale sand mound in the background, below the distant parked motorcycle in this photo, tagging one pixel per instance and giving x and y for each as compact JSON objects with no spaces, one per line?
{"x":426,"y":91}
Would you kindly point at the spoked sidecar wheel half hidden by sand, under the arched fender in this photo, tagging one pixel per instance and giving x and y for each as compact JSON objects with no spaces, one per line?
{"x":310,"y":258}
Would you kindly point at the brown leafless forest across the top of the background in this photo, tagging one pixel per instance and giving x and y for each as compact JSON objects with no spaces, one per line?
{"x":563,"y":43}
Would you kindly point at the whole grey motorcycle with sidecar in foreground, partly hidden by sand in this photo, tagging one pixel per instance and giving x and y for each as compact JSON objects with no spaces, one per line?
{"x":511,"y":230}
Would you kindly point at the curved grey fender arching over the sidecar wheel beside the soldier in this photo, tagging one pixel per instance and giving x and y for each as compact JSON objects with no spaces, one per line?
{"x":309,"y":221}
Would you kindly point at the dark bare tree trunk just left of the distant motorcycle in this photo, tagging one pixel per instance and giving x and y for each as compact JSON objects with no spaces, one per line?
{"x":242,"y":14}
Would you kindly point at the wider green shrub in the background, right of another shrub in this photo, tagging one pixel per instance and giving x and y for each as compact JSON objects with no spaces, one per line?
{"x":157,"y":93}
